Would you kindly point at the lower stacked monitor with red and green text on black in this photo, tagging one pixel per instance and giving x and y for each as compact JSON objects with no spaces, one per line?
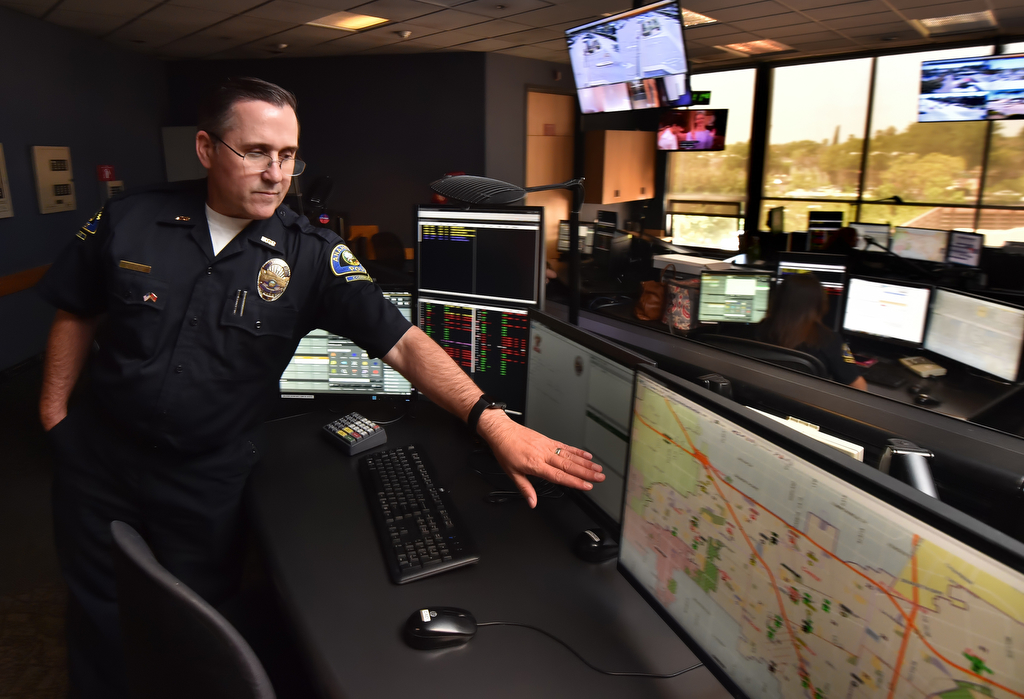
{"x":489,"y":342}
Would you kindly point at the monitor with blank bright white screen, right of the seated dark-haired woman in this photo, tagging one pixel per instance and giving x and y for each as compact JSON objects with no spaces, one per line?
{"x":889,"y":311}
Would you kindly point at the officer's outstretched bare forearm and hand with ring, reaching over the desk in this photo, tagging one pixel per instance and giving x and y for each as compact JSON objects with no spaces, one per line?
{"x":521,"y":452}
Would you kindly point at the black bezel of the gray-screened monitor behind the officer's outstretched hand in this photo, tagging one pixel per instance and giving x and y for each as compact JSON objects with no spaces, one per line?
{"x":610,"y":351}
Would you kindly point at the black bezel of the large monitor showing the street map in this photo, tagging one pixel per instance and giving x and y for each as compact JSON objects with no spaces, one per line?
{"x":968,"y":531}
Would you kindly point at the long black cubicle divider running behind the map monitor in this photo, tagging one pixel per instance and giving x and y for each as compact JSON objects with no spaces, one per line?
{"x":977,"y":470}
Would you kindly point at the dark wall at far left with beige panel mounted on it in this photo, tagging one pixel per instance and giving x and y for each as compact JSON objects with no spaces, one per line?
{"x":64,"y":89}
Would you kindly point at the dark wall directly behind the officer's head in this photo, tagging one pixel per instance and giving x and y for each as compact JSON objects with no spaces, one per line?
{"x":382,"y":127}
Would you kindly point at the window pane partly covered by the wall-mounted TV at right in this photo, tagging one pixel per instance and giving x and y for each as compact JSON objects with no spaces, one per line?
{"x":936,"y":163}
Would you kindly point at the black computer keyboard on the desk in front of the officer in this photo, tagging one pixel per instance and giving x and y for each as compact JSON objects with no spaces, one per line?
{"x":416,"y":522}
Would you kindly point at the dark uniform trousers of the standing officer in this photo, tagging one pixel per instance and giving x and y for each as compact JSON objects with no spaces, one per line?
{"x":187,"y":507}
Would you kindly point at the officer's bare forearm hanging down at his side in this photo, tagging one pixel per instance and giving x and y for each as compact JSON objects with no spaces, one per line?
{"x":67,"y":351}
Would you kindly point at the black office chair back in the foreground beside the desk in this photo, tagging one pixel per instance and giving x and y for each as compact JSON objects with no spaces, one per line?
{"x":177,"y":645}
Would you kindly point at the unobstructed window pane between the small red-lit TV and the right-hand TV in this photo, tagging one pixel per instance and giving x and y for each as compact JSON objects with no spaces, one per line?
{"x":818,"y":130}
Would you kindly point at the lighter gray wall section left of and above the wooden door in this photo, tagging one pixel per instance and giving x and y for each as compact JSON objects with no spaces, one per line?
{"x":508,"y":81}
